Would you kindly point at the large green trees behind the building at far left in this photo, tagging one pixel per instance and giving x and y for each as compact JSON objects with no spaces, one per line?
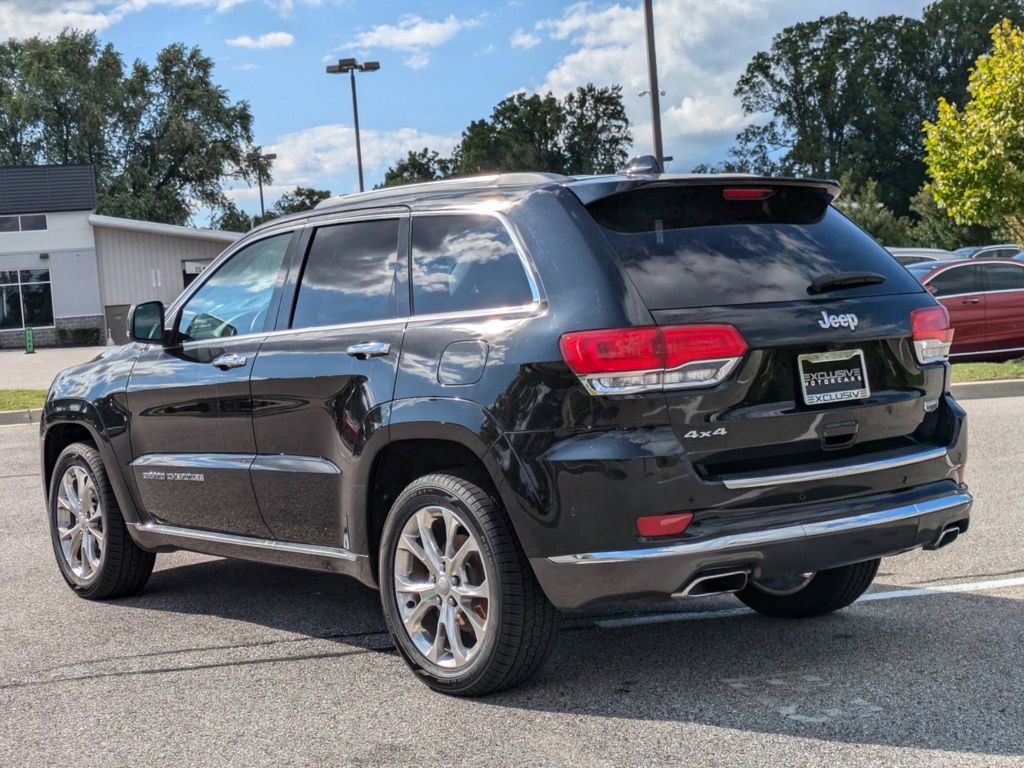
{"x":163,"y":138}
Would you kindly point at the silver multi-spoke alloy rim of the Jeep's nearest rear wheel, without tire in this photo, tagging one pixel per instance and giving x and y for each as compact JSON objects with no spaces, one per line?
{"x":443,"y":588}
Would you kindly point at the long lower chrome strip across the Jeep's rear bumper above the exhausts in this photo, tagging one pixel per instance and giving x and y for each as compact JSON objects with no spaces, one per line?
{"x":772,"y":536}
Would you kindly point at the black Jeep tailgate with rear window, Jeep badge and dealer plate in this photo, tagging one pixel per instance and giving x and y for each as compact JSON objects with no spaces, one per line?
{"x":826,"y":313}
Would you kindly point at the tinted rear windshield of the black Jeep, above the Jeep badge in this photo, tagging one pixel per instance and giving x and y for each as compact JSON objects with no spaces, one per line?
{"x":690,"y":247}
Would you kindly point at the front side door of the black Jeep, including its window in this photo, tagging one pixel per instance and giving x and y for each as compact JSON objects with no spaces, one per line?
{"x":192,"y":433}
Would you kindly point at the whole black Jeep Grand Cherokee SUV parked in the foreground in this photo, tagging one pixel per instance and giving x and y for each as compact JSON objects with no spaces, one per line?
{"x":499,"y":398}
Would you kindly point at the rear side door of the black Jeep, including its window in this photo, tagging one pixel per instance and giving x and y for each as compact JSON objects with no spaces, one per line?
{"x":322,"y":383}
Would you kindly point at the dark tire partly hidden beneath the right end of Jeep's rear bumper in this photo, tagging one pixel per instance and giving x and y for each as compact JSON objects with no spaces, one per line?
{"x":825,"y":592}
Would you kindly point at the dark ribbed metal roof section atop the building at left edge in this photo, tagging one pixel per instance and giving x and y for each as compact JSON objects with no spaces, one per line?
{"x":48,"y":189}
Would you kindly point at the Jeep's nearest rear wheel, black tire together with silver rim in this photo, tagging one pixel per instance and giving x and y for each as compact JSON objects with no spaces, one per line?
{"x":459,"y":596}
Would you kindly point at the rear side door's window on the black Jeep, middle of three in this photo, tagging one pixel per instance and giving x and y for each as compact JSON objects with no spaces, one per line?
{"x":350,"y":275}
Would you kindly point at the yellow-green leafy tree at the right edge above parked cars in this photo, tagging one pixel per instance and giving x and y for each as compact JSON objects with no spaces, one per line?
{"x":975,"y":155}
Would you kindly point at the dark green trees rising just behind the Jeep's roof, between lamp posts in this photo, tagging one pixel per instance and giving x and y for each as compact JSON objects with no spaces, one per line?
{"x":585,"y":133}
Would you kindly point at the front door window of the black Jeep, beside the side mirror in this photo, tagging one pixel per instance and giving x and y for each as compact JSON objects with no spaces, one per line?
{"x":236,"y":298}
